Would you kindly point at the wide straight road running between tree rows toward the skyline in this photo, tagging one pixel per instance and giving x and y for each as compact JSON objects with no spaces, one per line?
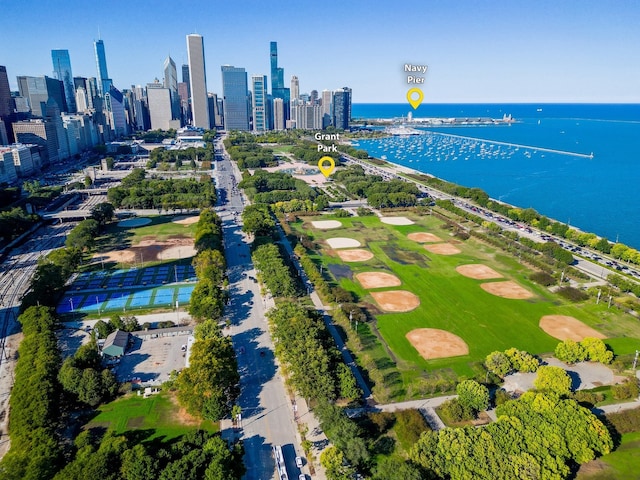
{"x":267,"y":413}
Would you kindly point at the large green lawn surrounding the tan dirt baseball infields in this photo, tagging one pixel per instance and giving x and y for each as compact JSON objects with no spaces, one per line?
{"x":452,"y":302}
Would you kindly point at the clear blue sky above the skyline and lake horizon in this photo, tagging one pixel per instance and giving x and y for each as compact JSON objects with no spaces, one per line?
{"x":477,"y":51}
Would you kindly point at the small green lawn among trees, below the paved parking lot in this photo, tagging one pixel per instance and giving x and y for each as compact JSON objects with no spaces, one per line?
{"x":157,"y":414}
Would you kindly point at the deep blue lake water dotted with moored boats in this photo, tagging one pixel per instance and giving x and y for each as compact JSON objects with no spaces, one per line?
{"x":599,"y":194}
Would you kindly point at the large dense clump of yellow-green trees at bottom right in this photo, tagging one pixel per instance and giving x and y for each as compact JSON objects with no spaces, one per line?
{"x":536,"y":436}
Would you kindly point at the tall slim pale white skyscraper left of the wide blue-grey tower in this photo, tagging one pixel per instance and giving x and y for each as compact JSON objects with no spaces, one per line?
{"x":198,"y":81}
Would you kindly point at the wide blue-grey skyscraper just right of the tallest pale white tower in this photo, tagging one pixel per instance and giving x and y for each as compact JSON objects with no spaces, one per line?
{"x":236,"y":98}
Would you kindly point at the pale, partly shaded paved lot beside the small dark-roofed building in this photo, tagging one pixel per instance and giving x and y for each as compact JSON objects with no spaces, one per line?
{"x":149,"y":362}
